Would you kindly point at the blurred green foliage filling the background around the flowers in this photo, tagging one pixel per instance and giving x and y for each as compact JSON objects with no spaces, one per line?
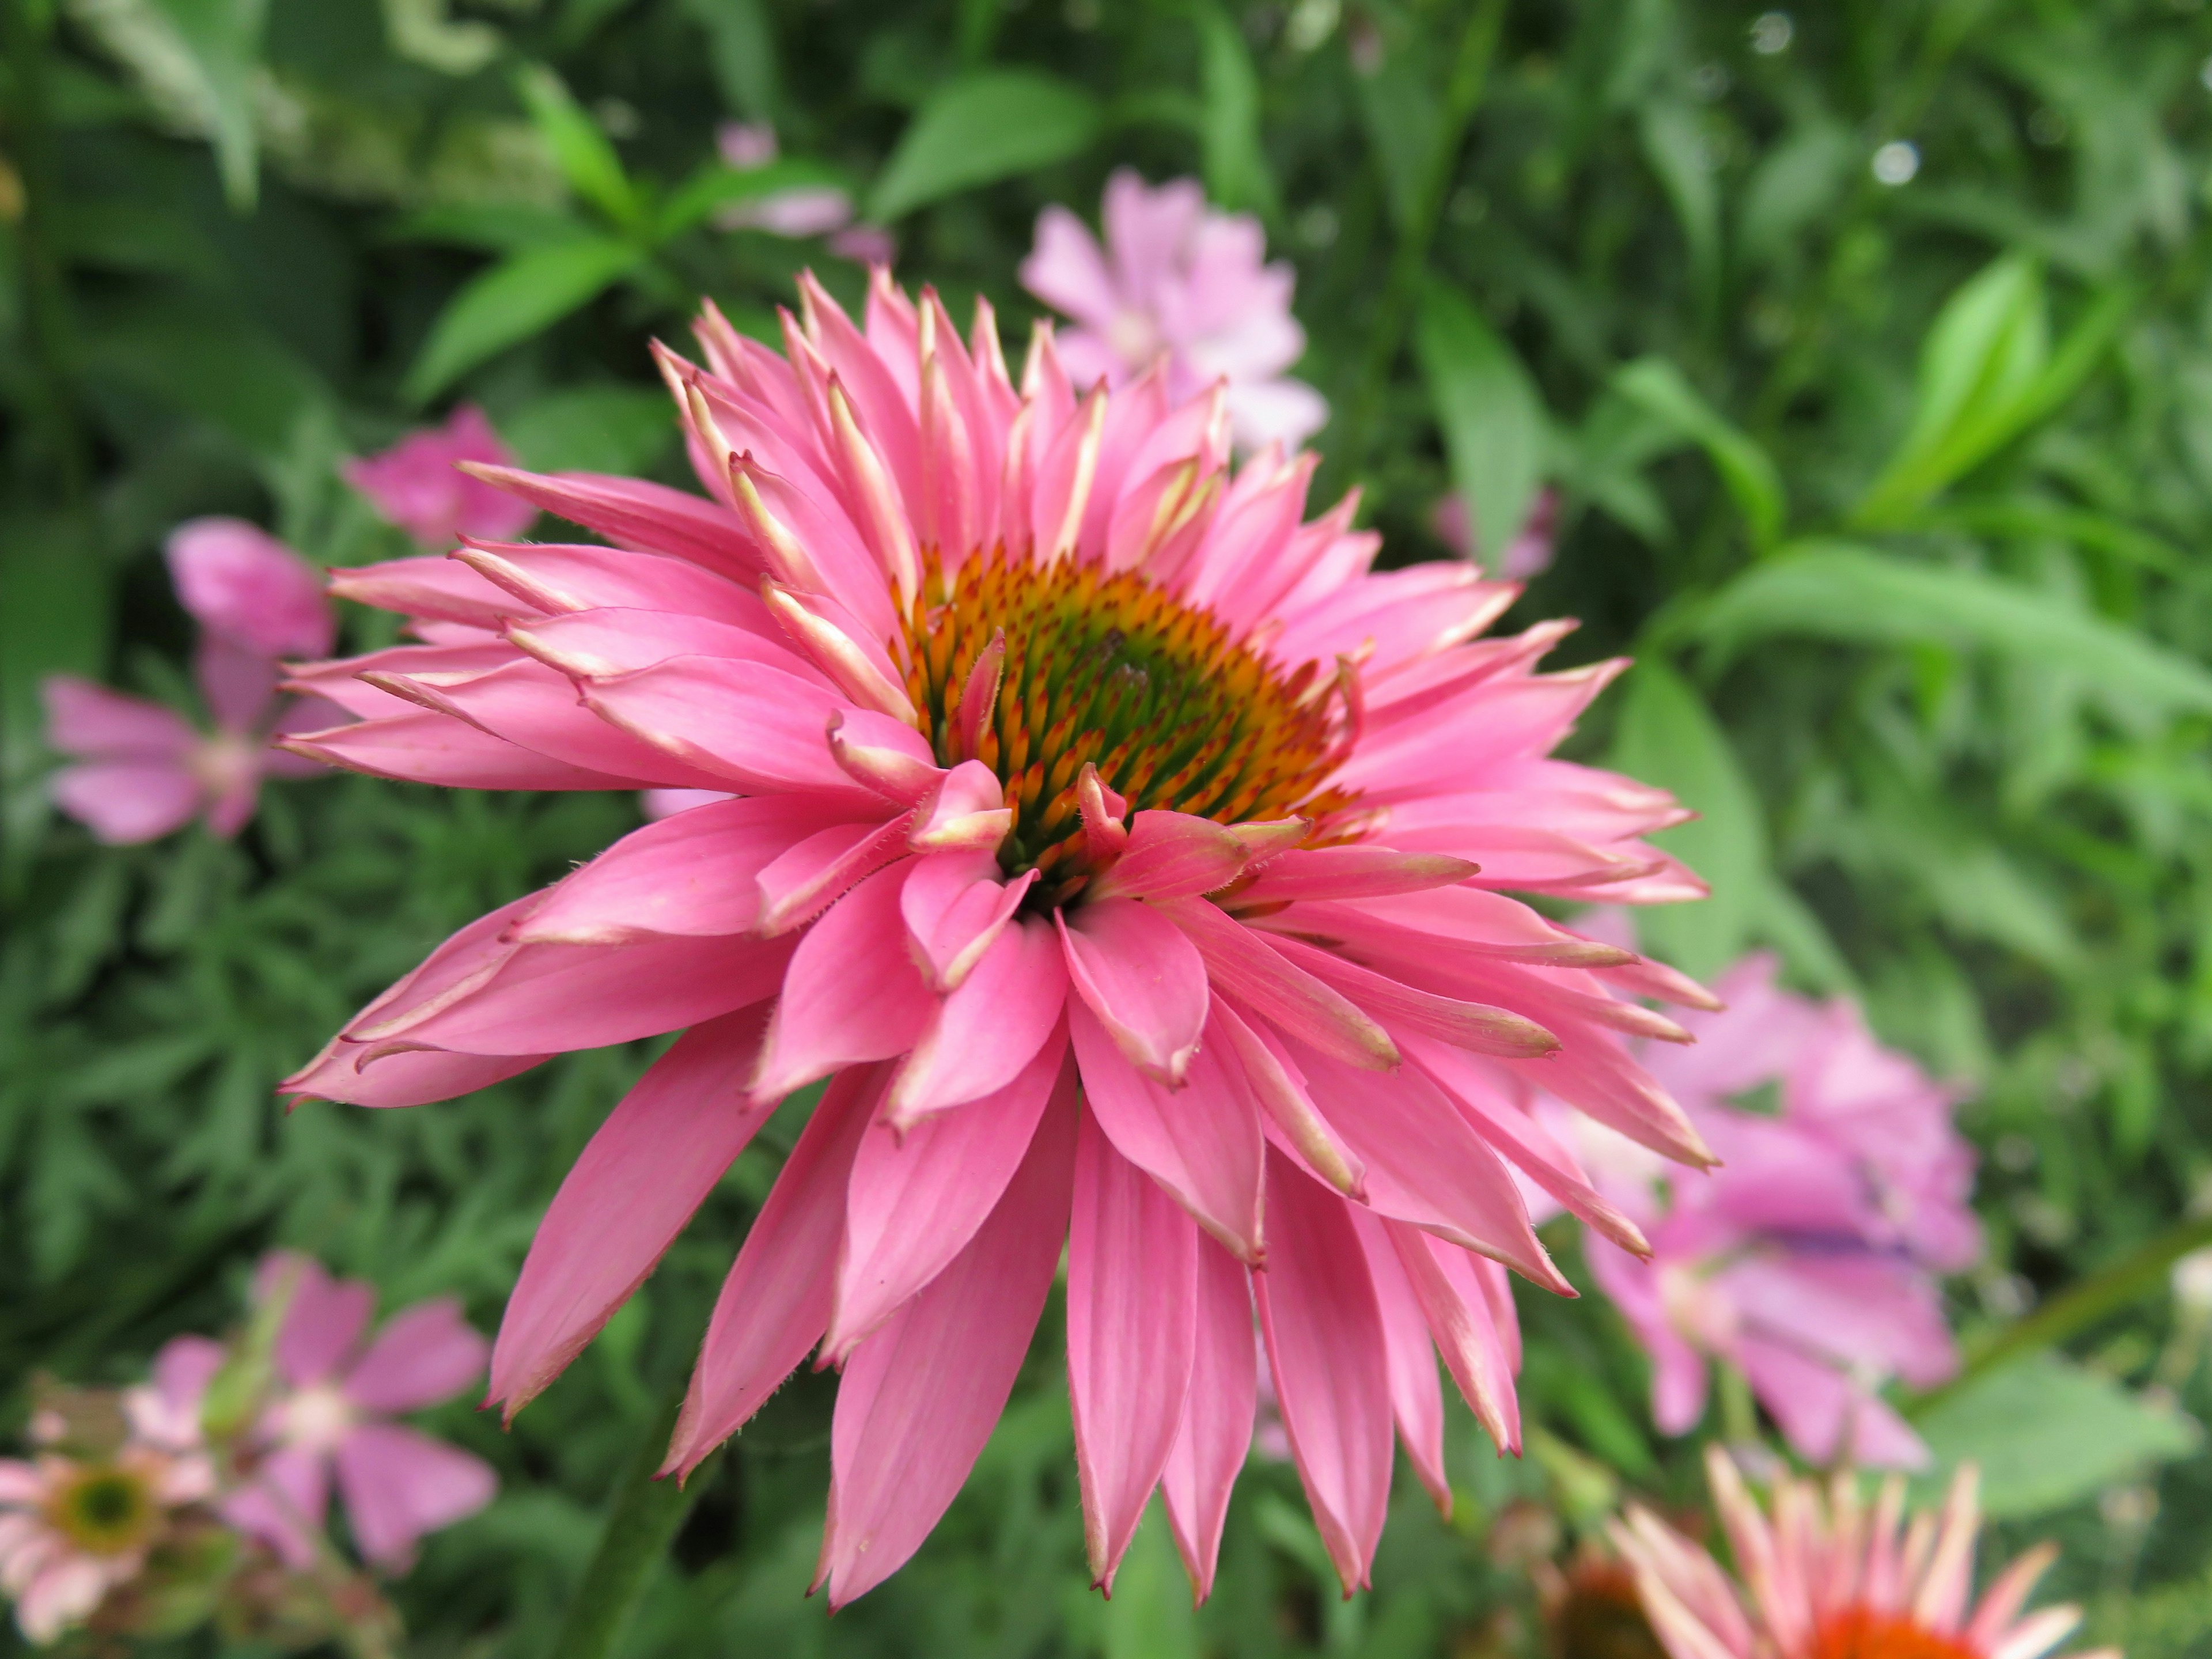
{"x":1892,"y":468}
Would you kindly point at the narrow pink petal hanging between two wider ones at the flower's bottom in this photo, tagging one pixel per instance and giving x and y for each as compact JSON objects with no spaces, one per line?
{"x":1215,"y":1432}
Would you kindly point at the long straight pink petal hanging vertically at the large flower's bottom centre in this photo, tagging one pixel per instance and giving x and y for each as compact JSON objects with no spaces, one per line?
{"x":1134,"y":1262}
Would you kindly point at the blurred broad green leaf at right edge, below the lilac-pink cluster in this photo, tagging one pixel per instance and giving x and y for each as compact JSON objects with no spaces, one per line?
{"x":2049,"y":1434}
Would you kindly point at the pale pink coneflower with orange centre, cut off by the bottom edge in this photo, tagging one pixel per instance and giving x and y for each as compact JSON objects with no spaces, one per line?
{"x":1830,"y":1578}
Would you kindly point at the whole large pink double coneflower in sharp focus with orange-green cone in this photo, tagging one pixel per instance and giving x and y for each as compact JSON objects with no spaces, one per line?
{"x":1125,"y":855}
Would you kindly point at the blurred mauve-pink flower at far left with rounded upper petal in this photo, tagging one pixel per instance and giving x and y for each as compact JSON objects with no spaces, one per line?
{"x":138,"y":769}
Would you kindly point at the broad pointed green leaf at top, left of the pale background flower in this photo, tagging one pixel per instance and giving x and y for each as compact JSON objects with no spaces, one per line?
{"x":983,"y":129}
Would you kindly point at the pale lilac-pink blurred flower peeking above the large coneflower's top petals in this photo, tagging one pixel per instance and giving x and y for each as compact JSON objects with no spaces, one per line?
{"x":1182,"y":282}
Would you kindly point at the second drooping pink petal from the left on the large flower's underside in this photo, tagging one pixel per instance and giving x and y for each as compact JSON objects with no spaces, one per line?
{"x":775,"y":1304}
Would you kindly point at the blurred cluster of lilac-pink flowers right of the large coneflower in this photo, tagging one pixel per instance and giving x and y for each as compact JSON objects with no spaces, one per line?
{"x":1811,"y":1260}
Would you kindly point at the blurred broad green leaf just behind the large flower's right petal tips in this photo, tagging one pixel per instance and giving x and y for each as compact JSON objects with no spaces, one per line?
{"x":1669,"y":738}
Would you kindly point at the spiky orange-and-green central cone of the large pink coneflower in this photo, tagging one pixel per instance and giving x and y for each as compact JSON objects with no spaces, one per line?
{"x":1109,"y":669}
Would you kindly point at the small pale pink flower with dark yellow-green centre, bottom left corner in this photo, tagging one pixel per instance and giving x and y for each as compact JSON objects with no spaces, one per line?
{"x":74,"y":1530}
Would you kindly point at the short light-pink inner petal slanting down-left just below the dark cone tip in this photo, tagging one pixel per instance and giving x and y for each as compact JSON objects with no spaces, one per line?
{"x":985,"y":1032}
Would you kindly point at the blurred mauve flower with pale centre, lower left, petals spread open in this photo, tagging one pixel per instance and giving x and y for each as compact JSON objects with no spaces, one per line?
{"x":333,"y":1408}
